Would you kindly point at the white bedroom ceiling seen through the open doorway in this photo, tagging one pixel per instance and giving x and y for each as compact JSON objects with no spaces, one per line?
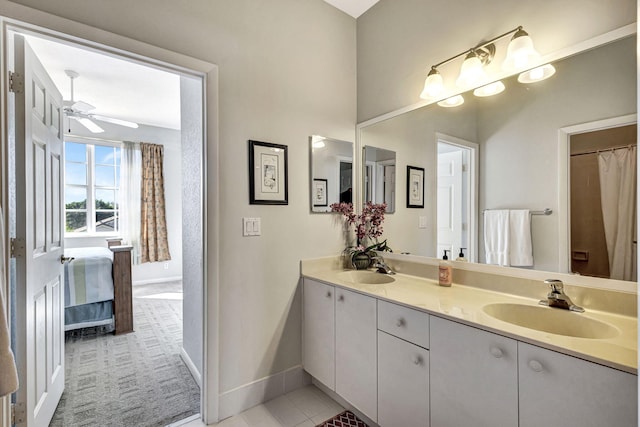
{"x":117,"y":88}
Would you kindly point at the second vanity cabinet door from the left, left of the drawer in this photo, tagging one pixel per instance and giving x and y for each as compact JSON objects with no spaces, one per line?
{"x":356,"y":350}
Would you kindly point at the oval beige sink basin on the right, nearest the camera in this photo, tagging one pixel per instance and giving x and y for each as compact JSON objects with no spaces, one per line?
{"x":552,"y":320}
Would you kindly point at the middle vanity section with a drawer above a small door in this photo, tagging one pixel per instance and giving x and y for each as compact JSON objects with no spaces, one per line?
{"x":403,"y":366}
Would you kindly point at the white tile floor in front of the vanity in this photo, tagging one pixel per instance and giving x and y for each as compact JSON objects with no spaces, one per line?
{"x":305,"y":407}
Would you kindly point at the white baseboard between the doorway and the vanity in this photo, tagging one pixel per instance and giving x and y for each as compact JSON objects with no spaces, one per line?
{"x":240,"y":399}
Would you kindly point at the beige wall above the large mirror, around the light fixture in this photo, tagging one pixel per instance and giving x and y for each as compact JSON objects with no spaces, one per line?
{"x":399,"y":40}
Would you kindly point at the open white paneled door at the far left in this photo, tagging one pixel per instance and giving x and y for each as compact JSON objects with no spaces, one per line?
{"x":36,"y":108}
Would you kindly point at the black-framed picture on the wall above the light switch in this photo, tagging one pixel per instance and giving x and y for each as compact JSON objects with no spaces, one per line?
{"x":267,"y":173}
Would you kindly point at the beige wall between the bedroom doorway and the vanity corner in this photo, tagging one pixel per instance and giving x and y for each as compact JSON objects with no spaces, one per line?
{"x":287,"y":70}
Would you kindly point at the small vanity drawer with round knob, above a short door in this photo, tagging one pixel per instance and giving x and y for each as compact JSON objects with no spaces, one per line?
{"x":402,"y":322}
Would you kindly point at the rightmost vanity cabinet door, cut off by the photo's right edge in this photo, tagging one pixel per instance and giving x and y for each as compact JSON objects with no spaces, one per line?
{"x":560,"y":390}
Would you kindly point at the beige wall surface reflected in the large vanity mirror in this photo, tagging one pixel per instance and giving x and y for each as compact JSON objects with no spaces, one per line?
{"x":517,"y":132}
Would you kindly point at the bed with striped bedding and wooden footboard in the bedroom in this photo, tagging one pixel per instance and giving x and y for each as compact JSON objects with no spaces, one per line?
{"x":97,"y":287}
